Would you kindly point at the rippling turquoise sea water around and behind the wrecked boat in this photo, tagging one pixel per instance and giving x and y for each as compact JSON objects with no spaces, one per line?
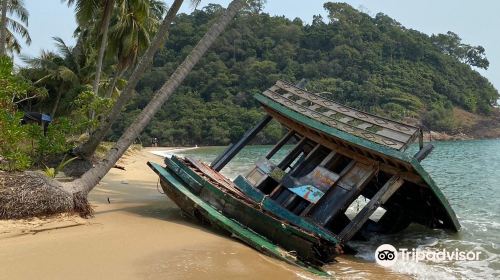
{"x":468,"y":173}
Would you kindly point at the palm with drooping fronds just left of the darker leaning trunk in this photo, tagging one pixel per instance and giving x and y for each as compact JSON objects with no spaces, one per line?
{"x":130,"y":34}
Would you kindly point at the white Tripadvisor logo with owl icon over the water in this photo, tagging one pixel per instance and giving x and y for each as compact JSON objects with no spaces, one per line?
{"x":387,"y":255}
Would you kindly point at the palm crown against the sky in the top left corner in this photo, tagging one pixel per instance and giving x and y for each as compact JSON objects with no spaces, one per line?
{"x":11,"y":25}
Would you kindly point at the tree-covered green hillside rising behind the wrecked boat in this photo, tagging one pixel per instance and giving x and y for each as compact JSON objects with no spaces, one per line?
{"x":371,"y":63}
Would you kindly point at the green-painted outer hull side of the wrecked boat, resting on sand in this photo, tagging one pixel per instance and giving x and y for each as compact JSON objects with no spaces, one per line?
{"x":196,"y":206}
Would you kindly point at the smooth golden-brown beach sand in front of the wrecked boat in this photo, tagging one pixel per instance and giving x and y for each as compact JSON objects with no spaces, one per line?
{"x":140,"y":234}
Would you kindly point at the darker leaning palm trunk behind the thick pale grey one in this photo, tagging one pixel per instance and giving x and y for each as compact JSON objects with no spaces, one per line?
{"x":87,"y":149}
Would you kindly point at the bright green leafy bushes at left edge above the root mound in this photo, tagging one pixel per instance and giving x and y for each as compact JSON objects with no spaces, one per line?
{"x":21,"y":146}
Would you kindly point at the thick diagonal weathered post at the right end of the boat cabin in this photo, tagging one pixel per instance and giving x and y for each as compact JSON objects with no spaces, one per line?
{"x":378,"y":199}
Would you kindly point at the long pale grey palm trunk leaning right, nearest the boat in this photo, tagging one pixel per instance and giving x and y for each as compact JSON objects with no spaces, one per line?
{"x":91,"y":178}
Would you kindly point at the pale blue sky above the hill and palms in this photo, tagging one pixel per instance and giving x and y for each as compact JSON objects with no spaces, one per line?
{"x":476,"y":22}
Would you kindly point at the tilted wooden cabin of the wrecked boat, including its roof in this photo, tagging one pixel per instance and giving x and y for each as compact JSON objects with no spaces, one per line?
{"x":336,"y":155}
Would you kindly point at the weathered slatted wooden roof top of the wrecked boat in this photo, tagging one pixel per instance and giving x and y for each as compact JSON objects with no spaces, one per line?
{"x":383,"y":131}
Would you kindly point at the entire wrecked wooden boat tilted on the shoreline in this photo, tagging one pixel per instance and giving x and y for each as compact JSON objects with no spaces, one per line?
{"x":295,"y":207}
